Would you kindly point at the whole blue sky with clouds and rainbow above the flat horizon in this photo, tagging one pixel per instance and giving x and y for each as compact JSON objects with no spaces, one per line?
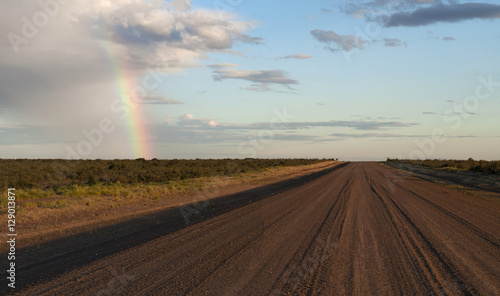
{"x":354,"y":80}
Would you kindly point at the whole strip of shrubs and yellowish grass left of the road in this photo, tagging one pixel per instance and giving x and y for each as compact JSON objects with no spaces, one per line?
{"x":46,"y":183}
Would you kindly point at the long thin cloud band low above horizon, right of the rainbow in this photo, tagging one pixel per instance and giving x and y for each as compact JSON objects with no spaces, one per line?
{"x":189,"y":129}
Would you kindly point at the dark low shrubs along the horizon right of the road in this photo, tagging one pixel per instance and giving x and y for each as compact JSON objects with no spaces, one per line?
{"x":490,"y":167}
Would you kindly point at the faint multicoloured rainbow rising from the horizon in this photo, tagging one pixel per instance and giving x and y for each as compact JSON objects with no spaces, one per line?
{"x":137,"y":130}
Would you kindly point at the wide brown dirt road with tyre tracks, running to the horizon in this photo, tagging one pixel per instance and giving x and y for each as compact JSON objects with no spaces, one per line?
{"x":361,"y":229}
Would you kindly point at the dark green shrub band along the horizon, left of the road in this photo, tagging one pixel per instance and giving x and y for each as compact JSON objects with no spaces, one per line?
{"x":43,"y":173}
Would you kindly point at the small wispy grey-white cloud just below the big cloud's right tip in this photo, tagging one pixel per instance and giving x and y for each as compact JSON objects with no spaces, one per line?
{"x":262,"y":79}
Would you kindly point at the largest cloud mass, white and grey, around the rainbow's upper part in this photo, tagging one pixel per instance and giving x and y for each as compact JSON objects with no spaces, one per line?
{"x":64,"y":73}
